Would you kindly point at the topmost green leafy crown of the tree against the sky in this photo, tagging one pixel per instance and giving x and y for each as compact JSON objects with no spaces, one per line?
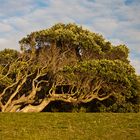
{"x":86,"y":44}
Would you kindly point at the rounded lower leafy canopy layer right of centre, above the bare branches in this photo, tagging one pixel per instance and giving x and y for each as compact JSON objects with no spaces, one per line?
{"x":116,"y":71}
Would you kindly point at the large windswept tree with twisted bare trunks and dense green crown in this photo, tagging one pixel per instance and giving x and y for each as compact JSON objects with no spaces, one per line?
{"x":67,"y":63}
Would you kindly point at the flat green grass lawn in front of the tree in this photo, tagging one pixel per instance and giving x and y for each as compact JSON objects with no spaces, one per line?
{"x":69,"y":126}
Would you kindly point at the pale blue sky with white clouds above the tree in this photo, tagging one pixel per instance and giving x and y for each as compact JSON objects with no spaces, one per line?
{"x":117,"y":20}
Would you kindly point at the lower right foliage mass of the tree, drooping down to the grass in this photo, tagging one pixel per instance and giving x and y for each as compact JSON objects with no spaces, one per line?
{"x":117,"y":77}
